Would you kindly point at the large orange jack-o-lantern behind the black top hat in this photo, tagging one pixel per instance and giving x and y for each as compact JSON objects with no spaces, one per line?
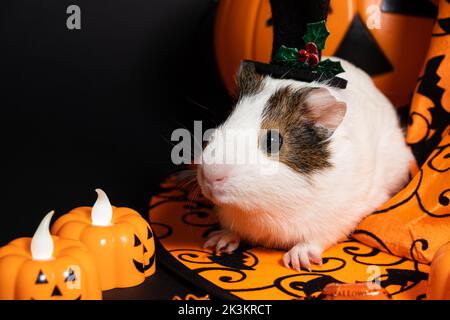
{"x":386,"y":39}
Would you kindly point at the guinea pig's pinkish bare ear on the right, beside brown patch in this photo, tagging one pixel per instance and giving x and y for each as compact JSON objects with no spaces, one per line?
{"x":324,"y":110}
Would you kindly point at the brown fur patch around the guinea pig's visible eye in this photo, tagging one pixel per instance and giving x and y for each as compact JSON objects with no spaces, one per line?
{"x":305,"y":146}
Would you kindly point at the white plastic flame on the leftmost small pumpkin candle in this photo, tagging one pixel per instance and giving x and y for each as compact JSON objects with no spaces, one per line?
{"x":42,"y":242}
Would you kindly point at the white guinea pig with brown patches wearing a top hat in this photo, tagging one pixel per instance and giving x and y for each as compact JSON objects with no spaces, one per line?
{"x":336,"y":155}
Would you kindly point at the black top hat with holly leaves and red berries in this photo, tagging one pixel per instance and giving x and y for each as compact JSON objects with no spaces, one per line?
{"x":299,"y":35}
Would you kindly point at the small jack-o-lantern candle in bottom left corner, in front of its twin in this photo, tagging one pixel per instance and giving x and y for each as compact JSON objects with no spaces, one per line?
{"x":47,"y":268}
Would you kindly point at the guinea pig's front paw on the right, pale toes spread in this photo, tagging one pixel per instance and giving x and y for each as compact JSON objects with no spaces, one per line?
{"x":302,"y":255}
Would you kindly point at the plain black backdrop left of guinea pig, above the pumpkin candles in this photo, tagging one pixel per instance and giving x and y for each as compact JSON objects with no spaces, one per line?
{"x":96,"y":107}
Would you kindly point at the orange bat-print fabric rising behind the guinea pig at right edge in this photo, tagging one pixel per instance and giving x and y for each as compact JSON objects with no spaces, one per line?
{"x":415,"y":223}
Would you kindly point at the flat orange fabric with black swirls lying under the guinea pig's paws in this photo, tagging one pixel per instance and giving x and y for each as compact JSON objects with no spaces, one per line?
{"x":182,"y":220}
